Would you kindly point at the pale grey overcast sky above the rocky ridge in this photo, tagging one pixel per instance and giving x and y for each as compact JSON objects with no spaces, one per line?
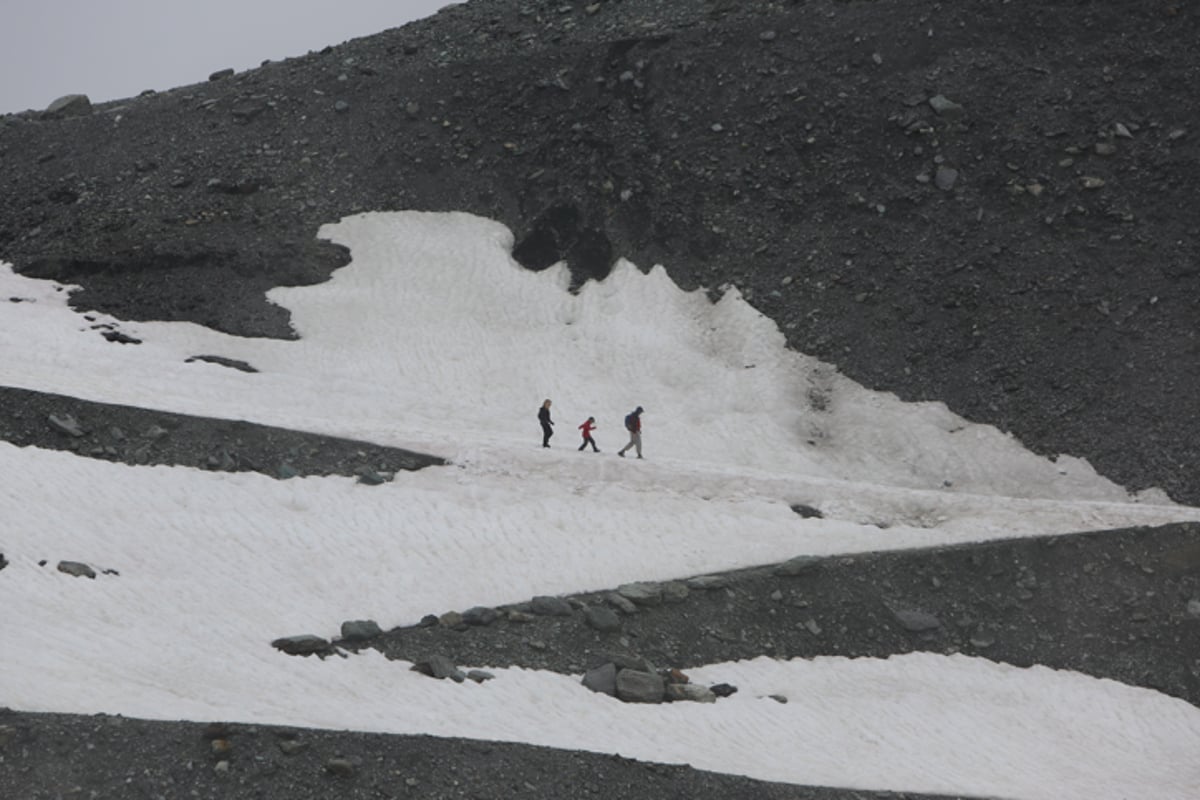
{"x":110,"y":50}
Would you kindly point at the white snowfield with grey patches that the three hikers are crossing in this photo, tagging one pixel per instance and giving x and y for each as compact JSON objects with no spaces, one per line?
{"x":435,"y":340}
